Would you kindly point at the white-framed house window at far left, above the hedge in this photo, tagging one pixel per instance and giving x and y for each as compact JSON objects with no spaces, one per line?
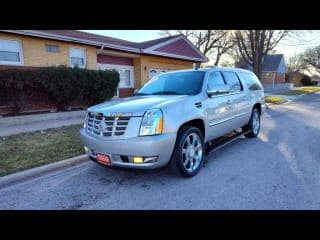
{"x":10,"y":52}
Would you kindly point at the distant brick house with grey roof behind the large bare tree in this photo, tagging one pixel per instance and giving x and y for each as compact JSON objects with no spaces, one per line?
{"x":273,"y":69}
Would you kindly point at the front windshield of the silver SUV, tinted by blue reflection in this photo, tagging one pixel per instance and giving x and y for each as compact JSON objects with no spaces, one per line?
{"x":177,"y":83}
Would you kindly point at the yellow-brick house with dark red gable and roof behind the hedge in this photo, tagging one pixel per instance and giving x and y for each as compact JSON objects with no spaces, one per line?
{"x":136,"y":62}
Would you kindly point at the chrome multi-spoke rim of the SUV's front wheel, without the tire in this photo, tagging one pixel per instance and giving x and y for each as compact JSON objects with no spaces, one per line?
{"x":192,"y":152}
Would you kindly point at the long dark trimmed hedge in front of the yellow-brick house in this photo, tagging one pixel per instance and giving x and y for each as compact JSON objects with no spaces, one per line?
{"x":63,"y":85}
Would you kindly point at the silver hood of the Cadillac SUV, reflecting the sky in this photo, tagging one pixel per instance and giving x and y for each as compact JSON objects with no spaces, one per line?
{"x":136,"y":105}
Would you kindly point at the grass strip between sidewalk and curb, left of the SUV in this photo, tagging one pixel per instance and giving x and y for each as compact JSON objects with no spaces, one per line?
{"x":27,"y":150}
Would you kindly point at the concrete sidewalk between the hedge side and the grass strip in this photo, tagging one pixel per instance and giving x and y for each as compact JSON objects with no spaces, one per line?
{"x":30,"y":123}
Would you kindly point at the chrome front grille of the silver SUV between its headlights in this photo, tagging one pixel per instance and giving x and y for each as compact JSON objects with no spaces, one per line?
{"x":106,"y":126}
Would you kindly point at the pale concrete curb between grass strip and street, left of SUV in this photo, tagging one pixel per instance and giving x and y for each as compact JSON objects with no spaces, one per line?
{"x":37,"y":171}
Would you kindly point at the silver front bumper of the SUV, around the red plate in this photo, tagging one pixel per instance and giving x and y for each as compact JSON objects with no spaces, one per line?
{"x":160,"y":146}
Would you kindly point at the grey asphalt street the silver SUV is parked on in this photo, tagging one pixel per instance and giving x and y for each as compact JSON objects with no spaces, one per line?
{"x":278,"y":170}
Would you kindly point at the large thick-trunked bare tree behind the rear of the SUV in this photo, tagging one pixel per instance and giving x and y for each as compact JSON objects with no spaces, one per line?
{"x":254,"y":44}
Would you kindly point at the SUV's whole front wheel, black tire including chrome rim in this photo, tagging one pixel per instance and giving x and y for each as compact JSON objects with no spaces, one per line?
{"x":188,"y":154}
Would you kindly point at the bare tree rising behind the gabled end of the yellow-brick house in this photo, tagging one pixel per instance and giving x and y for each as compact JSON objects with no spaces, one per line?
{"x":212,"y":43}
